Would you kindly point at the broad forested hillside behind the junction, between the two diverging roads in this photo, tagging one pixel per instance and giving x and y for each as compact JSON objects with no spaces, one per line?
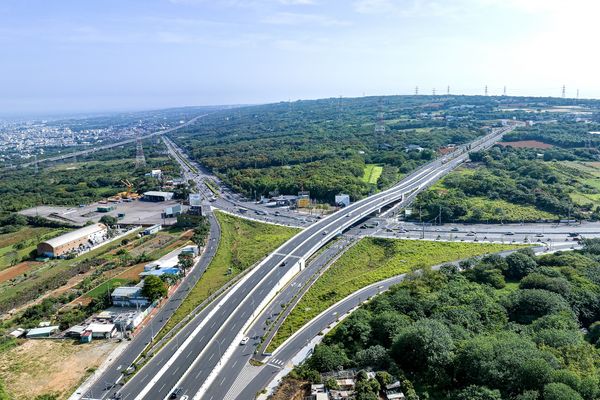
{"x":324,"y":145}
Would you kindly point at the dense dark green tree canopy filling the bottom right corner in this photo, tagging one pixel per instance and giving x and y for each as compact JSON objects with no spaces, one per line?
{"x":520,"y":327}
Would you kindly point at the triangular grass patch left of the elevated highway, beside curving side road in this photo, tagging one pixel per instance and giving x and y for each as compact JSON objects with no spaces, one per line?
{"x":243,"y":243}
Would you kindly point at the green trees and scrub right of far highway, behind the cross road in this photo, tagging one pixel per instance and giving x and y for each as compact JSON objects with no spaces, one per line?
{"x":541,"y":178}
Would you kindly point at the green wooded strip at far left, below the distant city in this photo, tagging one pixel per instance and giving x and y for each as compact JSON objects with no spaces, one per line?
{"x":92,"y":178}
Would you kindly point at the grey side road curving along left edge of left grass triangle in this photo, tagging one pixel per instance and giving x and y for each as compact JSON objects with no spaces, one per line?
{"x":107,"y":384}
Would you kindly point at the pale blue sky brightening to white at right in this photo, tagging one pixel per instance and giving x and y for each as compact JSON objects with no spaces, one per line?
{"x":92,"y":55}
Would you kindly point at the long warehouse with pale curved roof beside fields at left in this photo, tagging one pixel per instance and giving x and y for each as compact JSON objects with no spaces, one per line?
{"x":75,"y":241}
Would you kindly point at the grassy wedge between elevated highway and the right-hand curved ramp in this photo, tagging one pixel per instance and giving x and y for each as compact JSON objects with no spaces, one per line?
{"x":372,"y":260}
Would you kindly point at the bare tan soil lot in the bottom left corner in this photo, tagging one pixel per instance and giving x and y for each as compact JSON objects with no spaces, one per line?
{"x":49,"y":366}
